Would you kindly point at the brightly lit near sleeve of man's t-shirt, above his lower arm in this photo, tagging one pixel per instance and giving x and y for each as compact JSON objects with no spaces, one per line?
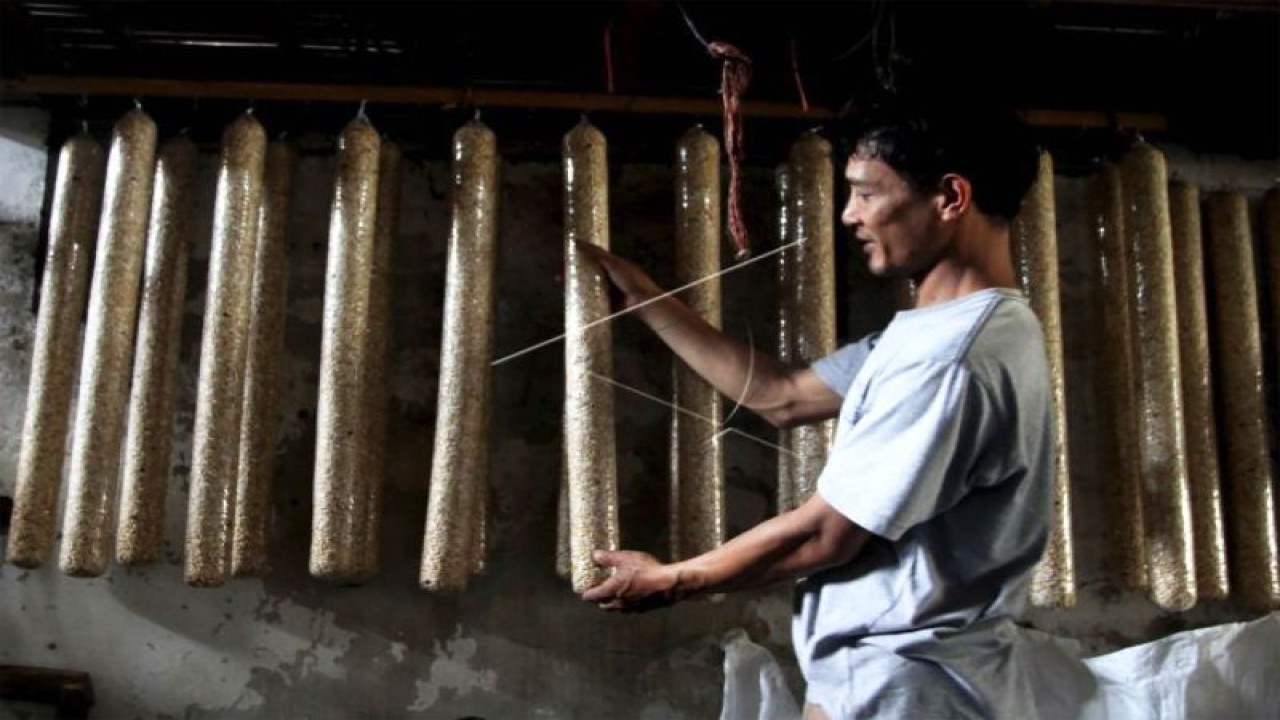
{"x":908,"y":454}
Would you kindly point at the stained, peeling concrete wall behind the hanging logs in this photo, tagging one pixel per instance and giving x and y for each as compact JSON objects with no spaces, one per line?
{"x":516,"y":644}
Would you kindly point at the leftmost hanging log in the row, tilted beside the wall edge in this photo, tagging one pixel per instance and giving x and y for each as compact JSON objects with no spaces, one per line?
{"x":72,"y":225}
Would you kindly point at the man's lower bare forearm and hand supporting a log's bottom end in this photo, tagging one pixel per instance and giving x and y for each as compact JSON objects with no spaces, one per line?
{"x":804,"y":541}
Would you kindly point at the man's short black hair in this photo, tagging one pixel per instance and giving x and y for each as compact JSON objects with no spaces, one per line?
{"x":994,"y":149}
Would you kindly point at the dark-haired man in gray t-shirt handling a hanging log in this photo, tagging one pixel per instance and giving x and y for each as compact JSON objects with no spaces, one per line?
{"x":916,"y":552}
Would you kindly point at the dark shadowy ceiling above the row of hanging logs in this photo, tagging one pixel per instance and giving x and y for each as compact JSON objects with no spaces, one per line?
{"x":1204,"y":75}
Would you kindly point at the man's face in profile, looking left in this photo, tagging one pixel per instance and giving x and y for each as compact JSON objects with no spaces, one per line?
{"x":898,"y":229}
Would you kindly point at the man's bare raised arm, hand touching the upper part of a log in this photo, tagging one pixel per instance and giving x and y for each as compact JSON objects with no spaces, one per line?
{"x":781,"y":395}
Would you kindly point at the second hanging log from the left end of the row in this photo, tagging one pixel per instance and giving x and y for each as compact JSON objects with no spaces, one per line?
{"x":104,"y":388}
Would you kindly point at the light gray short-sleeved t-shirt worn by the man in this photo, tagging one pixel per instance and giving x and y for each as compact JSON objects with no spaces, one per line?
{"x":944,"y":453}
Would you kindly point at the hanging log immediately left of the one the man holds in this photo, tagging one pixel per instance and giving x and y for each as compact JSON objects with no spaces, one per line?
{"x":454,"y":539}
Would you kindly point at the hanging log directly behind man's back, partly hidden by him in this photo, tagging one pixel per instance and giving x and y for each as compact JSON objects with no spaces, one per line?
{"x":1036,"y":249}
